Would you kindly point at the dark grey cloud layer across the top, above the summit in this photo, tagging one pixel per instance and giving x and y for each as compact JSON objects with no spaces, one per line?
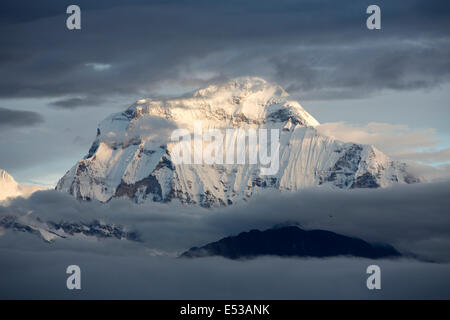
{"x":321,"y":49}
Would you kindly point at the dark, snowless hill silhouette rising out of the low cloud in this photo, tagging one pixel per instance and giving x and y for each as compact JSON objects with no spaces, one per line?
{"x":291,"y":241}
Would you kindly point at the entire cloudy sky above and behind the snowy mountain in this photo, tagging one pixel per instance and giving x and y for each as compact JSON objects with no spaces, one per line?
{"x":368,"y":85}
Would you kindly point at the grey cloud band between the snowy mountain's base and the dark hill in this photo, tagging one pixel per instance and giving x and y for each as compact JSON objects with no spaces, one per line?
{"x":413,"y":218}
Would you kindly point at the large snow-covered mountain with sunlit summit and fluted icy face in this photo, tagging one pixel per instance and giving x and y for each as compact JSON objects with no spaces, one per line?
{"x":132,"y":155}
